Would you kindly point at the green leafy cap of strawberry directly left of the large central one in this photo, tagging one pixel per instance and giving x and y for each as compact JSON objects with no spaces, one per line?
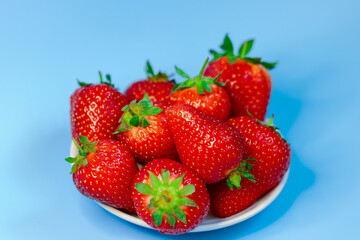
{"x":135,"y":114}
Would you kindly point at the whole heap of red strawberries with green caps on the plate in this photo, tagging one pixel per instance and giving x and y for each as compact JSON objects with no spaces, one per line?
{"x":202,"y":143}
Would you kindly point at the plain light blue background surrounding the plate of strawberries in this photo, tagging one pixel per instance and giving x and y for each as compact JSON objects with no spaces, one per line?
{"x":45,"y":47}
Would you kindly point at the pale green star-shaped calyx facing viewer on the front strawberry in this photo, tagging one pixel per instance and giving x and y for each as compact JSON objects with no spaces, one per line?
{"x":167,"y":197}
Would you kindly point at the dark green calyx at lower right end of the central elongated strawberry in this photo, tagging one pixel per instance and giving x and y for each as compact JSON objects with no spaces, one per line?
{"x":234,"y":178}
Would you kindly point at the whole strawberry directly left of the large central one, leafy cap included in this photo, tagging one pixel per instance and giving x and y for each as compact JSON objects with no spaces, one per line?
{"x":144,"y":131}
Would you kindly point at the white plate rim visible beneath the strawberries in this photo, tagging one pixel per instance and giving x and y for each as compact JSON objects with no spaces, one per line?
{"x":210,"y":222}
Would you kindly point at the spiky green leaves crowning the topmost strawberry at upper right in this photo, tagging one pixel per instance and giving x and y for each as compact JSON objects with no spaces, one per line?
{"x":228,"y":51}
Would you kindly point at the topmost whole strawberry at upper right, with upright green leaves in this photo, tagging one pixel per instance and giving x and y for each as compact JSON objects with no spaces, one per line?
{"x":248,"y":82}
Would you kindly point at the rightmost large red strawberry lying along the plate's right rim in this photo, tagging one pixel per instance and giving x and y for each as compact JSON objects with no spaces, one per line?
{"x":272,"y":152}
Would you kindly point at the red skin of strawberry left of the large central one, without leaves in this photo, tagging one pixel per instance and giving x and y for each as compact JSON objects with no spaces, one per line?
{"x":151,"y":142}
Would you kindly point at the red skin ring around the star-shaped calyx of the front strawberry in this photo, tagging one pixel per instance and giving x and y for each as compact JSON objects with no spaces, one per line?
{"x":194,"y":215}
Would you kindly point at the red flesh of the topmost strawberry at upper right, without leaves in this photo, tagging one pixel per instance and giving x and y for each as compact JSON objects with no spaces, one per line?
{"x":248,"y":85}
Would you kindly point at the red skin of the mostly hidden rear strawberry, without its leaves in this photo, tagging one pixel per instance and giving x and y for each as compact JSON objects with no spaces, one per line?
{"x":158,"y":91}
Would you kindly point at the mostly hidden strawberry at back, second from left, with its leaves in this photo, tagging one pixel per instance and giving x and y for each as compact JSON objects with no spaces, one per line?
{"x":158,"y":86}
